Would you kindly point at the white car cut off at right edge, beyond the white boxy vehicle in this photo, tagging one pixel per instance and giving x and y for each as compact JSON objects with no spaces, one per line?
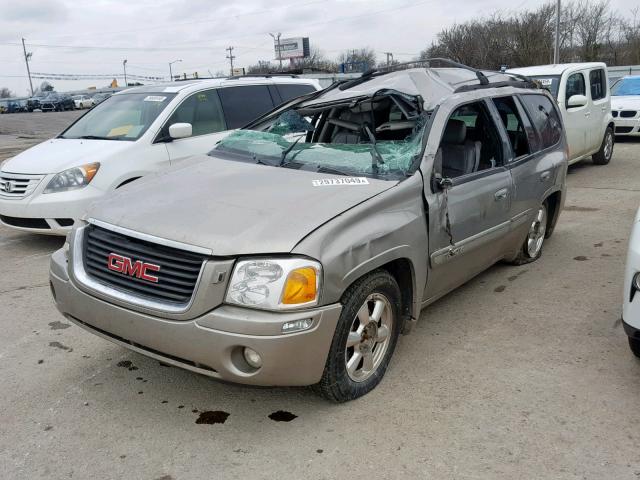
{"x":625,"y":105}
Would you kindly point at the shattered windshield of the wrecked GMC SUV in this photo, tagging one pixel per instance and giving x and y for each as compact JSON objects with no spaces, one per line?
{"x":381,"y":138}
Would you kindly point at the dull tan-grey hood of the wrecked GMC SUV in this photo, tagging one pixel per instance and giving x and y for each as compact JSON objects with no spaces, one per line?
{"x":232,"y":207}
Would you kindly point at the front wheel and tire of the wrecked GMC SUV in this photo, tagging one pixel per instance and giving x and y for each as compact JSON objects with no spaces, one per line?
{"x":376,"y":293}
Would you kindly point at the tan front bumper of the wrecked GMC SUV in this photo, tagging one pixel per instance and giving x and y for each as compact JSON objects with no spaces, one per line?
{"x":210,"y":344}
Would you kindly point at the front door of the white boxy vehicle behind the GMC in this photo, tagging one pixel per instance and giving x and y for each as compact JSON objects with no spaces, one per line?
{"x":577,"y":121}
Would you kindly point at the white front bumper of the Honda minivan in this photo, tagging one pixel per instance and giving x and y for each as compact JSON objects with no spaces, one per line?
{"x":46,"y":210}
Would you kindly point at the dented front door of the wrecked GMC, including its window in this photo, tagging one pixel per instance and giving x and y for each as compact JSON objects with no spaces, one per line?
{"x":469,"y":219}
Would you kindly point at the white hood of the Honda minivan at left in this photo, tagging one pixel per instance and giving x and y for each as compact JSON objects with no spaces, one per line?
{"x":58,"y":154}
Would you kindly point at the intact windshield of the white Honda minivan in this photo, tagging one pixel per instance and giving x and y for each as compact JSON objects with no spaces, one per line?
{"x":121,"y":117}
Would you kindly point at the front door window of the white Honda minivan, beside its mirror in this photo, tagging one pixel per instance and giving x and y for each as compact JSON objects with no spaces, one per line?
{"x":202,"y":110}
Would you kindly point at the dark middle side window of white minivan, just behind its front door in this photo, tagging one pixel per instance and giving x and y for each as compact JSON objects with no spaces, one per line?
{"x":243,"y":104}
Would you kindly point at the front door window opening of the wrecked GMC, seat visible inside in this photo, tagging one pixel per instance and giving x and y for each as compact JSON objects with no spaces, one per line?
{"x":470,"y":142}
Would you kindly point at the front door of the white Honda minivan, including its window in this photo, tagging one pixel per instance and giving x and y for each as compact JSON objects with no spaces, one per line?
{"x":204,"y":112}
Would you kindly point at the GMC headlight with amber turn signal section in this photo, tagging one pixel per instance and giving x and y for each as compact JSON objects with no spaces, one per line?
{"x":275,"y":284}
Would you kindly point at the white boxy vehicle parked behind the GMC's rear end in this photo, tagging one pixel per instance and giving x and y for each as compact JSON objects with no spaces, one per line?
{"x":582,"y":93}
